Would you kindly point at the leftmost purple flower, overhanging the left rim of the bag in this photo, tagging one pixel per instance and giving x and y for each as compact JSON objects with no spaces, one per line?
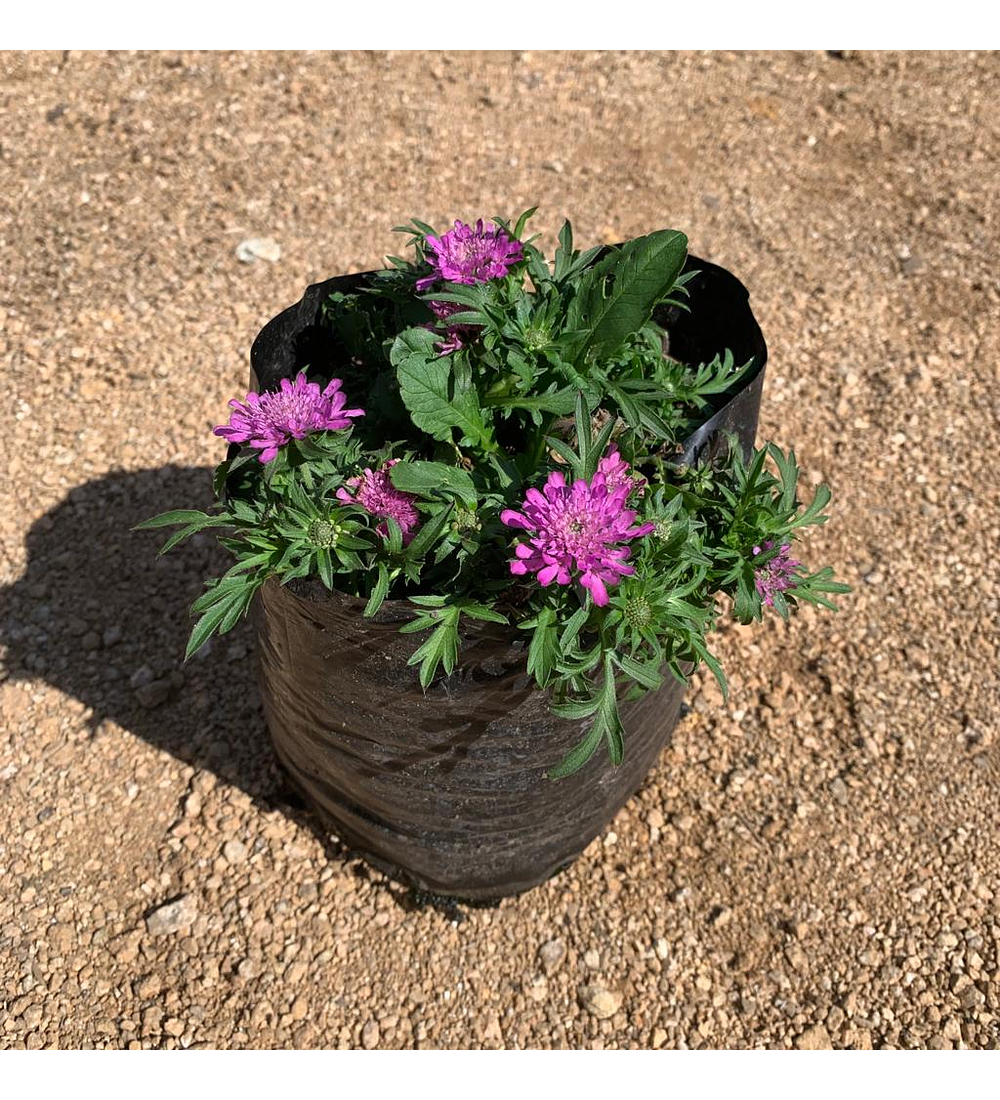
{"x":269,"y":421}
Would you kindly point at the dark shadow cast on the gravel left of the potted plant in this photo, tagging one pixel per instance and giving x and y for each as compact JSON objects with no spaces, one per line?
{"x":105,"y":621}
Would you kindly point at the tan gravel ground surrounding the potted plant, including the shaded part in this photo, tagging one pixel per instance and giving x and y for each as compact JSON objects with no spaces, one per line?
{"x":814,"y":865}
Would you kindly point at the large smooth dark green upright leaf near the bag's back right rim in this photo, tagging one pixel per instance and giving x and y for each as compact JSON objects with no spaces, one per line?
{"x":643,"y":273}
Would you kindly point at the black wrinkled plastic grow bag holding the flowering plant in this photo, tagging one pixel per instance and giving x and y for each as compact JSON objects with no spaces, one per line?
{"x":446,"y":790}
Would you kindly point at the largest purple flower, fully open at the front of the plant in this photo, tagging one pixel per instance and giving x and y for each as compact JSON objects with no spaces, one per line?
{"x":577,"y":529}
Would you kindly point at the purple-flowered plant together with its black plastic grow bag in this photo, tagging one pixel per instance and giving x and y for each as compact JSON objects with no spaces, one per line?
{"x":488,"y":510}
